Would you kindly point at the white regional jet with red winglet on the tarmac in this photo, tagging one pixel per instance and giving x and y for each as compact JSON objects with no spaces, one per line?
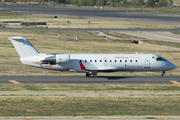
{"x":90,"y":64}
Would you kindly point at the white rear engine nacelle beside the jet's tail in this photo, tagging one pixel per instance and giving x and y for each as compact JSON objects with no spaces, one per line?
{"x":58,"y":59}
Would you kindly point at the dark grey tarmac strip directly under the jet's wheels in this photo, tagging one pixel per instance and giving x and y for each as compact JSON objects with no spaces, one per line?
{"x":85,"y":80}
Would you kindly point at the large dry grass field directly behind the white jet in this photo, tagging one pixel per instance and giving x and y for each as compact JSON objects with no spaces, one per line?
{"x":63,"y":42}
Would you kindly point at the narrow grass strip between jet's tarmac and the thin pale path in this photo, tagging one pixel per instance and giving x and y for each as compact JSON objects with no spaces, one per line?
{"x":83,"y":88}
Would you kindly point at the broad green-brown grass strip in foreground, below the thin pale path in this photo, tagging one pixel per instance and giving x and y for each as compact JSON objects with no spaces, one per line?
{"x":89,"y":105}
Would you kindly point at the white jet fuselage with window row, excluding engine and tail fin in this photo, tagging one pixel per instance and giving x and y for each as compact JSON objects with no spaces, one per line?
{"x":105,"y":62}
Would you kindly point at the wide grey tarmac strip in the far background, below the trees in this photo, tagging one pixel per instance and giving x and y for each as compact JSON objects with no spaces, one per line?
{"x":91,"y":13}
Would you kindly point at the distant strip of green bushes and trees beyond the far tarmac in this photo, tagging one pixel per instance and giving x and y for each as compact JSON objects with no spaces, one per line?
{"x":110,"y":3}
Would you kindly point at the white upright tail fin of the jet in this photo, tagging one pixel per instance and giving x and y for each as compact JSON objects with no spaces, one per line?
{"x":23,"y":47}
